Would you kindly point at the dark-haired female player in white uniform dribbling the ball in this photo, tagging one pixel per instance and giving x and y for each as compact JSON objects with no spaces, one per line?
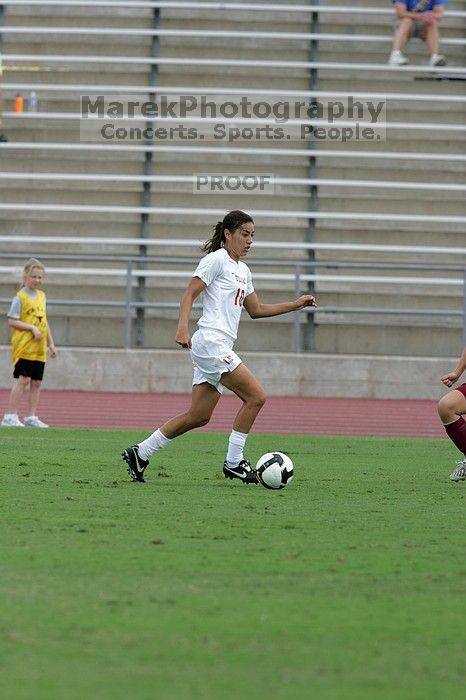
{"x":226,"y":284}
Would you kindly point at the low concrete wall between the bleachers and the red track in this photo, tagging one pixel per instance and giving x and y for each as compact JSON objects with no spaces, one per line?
{"x":282,"y":374}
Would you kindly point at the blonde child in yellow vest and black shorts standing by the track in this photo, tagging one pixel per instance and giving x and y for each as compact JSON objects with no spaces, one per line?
{"x":31,"y":335}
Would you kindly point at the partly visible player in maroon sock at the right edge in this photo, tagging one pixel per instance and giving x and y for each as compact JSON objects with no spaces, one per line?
{"x":451,"y":409}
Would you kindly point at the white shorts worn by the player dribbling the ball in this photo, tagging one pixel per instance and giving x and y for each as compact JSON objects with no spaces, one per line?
{"x":212,"y":355}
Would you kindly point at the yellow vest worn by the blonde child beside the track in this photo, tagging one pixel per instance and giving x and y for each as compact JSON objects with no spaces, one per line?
{"x":24,"y":345}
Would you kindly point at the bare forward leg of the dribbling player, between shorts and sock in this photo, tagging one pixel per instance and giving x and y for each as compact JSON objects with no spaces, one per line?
{"x":243,"y":383}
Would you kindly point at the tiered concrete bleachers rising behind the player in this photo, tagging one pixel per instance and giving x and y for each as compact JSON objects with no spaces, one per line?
{"x":349,"y":213}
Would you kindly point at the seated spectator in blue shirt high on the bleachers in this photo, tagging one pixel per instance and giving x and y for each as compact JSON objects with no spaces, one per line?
{"x":417,"y":19}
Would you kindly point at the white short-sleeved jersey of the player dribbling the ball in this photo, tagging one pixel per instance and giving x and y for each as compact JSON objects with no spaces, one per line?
{"x":228,"y":283}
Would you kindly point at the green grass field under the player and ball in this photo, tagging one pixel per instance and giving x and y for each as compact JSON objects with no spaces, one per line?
{"x":348,"y":585}
